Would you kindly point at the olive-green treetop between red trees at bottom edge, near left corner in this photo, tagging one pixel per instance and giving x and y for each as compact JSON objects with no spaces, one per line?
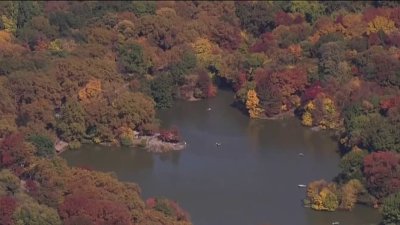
{"x":35,"y":214}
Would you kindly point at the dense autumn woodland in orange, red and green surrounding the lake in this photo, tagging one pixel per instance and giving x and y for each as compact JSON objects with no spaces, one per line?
{"x":96,"y":72}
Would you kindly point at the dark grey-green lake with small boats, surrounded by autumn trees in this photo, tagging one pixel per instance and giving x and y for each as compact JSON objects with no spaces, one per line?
{"x":250,"y":180}
